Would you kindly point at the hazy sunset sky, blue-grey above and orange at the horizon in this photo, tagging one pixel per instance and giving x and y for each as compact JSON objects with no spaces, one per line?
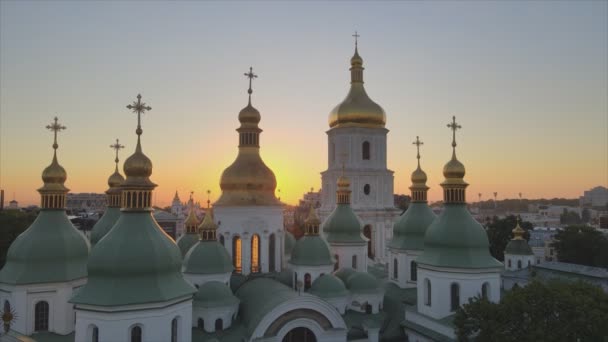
{"x":528,"y":82}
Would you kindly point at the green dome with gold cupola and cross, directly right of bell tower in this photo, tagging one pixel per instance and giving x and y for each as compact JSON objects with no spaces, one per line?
{"x":409,"y":229}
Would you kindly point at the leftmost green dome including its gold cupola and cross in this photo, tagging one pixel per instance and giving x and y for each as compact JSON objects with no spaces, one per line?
{"x":51,"y":250}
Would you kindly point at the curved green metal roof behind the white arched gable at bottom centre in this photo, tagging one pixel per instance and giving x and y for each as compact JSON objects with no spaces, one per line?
{"x":258,"y":297}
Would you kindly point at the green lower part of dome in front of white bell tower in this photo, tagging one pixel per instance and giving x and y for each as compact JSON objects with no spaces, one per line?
{"x":343,"y":226}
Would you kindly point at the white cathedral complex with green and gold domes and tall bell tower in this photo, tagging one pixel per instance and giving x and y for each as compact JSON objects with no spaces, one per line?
{"x":237,"y":274}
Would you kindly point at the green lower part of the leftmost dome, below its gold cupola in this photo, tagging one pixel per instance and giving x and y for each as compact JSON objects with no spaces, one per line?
{"x":50,"y":250}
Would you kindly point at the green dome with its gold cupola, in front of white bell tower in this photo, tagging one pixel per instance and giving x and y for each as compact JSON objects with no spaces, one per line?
{"x":343,"y":225}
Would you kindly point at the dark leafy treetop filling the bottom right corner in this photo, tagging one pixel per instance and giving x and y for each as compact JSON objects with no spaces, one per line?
{"x":552,"y":311}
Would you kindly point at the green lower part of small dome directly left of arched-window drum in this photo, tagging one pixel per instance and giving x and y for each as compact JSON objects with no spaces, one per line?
{"x":208,"y":257}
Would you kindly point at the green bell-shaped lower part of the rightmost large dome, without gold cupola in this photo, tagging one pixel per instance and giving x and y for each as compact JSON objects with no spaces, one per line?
{"x":455,"y":239}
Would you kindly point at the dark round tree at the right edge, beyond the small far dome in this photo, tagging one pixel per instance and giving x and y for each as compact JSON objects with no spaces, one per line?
{"x":582,"y":245}
